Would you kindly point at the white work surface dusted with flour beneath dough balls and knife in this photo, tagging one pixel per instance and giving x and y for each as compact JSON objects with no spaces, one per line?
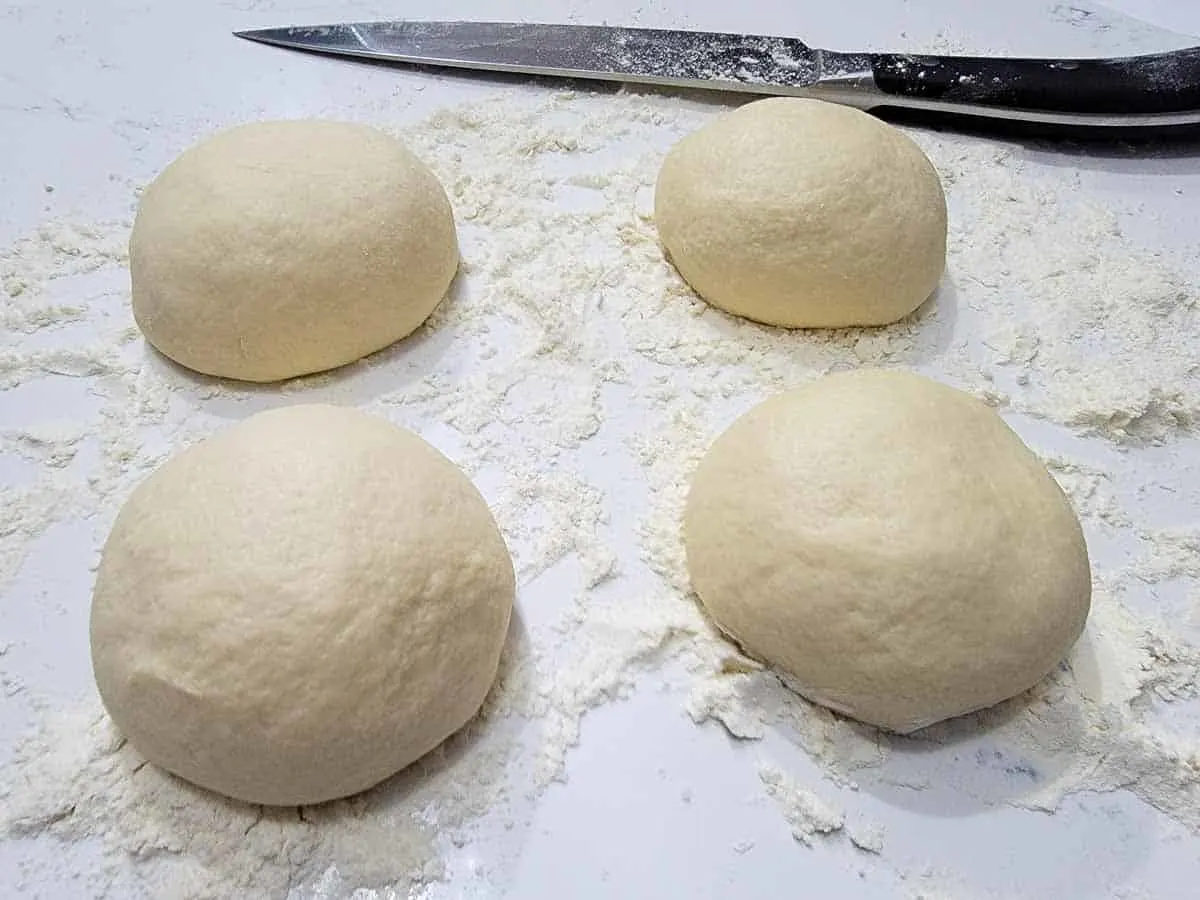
{"x":574,"y":380}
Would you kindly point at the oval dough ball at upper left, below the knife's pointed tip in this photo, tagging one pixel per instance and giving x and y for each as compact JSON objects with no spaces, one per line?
{"x":280,"y":249}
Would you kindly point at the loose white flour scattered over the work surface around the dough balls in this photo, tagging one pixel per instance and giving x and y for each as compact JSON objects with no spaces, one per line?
{"x":578,"y":380}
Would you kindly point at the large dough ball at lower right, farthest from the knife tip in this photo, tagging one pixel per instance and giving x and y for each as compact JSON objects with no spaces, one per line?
{"x":892,"y":545}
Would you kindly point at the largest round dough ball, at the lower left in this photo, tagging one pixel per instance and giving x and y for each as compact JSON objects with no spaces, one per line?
{"x":299,"y":607}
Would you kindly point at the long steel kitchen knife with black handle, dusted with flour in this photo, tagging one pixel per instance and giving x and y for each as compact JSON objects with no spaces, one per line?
{"x":1154,"y":91}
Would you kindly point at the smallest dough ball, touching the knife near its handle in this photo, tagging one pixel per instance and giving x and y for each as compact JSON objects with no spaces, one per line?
{"x":803,"y":214}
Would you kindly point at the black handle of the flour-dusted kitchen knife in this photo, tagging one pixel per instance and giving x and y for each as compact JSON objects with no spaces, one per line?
{"x":1149,"y":85}
